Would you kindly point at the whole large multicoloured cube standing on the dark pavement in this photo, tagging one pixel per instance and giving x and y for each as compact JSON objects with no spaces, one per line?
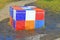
{"x":26,"y":17}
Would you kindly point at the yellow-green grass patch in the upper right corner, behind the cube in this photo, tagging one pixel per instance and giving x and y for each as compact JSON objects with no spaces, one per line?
{"x":52,"y":5}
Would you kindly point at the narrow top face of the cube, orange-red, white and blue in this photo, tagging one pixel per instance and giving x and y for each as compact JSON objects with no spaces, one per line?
{"x":26,"y":8}
